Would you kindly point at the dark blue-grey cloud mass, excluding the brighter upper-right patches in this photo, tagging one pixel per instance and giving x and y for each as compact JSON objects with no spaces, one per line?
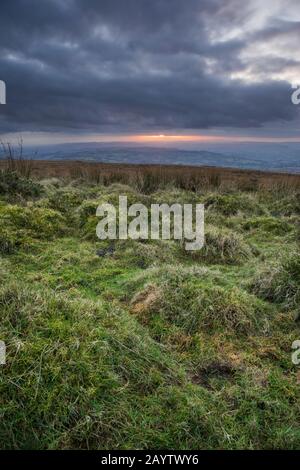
{"x":99,"y":66}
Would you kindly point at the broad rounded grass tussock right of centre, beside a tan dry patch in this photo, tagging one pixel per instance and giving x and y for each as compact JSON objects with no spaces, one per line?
{"x":210,"y":308}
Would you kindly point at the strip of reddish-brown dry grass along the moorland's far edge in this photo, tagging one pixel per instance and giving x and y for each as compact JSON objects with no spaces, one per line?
{"x":147,"y":178}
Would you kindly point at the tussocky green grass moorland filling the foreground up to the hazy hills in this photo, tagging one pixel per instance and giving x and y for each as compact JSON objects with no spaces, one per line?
{"x":136,"y":344}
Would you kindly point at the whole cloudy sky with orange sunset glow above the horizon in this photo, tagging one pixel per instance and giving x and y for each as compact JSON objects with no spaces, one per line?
{"x":149,"y":71}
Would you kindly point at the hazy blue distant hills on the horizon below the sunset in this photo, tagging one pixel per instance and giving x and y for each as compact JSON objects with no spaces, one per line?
{"x":266,"y":157}
